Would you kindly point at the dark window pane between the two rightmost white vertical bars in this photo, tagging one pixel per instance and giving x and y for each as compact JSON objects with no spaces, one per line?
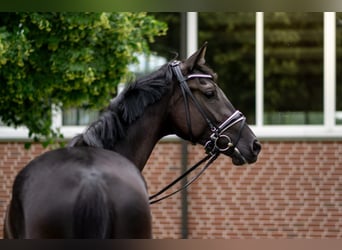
{"x":293,"y":74}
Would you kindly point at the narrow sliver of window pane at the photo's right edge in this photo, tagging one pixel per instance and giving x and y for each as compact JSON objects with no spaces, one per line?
{"x":339,"y":68}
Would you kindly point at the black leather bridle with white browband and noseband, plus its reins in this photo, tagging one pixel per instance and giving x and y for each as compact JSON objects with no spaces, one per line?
{"x":217,"y":142}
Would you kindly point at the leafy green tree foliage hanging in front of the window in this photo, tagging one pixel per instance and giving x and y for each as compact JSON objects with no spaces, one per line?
{"x":65,"y":59}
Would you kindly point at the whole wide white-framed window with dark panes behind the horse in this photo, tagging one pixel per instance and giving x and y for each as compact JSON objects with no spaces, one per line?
{"x":282,"y":70}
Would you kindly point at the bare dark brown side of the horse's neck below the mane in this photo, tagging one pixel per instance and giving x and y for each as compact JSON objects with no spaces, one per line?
{"x":144,"y":134}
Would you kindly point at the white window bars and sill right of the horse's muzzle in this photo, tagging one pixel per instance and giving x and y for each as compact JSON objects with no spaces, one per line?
{"x":329,"y":129}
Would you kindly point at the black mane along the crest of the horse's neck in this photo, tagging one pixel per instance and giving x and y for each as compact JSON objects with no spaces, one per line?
{"x":125,"y":109}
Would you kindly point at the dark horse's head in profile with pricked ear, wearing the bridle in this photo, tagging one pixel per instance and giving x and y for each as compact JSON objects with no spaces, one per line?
{"x":202,"y":113}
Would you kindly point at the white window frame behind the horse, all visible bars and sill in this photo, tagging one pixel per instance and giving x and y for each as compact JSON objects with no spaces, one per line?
{"x":328,"y":130}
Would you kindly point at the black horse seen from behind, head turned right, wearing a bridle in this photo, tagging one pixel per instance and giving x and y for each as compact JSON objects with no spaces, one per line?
{"x":94,"y":187}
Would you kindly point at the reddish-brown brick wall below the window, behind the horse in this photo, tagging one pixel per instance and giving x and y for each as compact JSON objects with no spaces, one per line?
{"x":293,"y":191}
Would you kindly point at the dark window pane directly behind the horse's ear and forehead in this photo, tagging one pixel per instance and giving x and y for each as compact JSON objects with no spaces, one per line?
{"x":231,"y":53}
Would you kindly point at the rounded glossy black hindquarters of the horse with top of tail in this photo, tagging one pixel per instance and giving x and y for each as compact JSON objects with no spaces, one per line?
{"x":80,"y":192}
